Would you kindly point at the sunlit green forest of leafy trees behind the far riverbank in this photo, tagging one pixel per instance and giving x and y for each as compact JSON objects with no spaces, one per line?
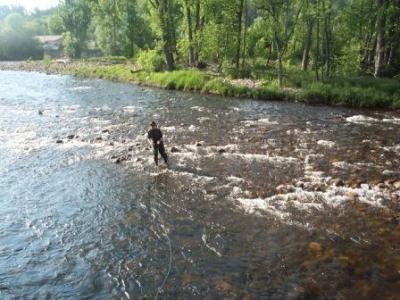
{"x":289,"y":43}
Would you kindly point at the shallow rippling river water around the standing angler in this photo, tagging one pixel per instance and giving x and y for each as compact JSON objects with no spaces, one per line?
{"x":263,"y":200}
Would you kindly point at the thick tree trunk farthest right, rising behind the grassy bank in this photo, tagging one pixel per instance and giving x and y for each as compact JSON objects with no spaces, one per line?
{"x":380,"y":37}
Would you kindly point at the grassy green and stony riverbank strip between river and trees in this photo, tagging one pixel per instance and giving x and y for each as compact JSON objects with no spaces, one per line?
{"x":351,"y":92}
